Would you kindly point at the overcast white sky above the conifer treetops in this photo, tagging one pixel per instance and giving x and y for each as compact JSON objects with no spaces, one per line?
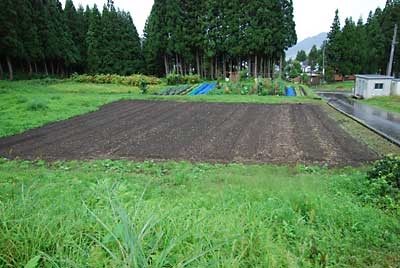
{"x":312,"y":16}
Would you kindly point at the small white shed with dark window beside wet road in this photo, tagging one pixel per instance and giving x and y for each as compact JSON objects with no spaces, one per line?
{"x":370,"y":86}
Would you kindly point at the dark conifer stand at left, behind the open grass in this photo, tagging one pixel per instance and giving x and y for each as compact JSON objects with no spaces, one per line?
{"x":43,"y":37}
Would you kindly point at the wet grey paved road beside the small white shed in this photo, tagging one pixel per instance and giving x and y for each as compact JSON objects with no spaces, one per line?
{"x":385,"y":123}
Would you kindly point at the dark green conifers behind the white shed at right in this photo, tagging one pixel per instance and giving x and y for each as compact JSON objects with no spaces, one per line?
{"x":361,"y":47}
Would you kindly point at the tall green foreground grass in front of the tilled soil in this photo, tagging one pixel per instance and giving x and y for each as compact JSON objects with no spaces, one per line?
{"x":125,"y":214}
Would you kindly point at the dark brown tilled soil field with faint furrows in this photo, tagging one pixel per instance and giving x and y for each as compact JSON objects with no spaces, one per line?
{"x":206,"y":132}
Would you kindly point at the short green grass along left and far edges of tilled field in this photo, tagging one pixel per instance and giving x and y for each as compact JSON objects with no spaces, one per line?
{"x":29,"y":104}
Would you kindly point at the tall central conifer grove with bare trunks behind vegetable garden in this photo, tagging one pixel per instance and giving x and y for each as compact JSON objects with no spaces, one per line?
{"x":207,"y":35}
